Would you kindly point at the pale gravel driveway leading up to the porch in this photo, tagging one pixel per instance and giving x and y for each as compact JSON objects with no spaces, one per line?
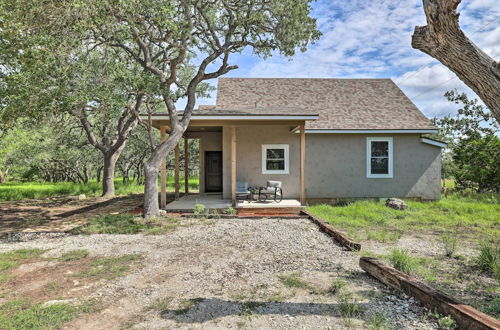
{"x":235,"y":273}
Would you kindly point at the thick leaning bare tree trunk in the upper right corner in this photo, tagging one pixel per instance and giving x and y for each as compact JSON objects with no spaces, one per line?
{"x":443,"y":39}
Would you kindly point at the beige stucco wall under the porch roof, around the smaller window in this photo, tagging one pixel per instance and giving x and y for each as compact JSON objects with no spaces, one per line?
{"x":249,"y":141}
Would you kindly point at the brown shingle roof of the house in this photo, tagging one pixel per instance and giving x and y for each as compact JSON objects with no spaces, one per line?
{"x":340,"y":103}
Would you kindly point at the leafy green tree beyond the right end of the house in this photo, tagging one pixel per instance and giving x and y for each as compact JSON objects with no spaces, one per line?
{"x":473,"y":143}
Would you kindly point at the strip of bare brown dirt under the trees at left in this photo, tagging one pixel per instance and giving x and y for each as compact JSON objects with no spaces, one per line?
{"x":59,"y":213}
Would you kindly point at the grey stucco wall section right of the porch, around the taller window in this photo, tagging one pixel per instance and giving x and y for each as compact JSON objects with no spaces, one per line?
{"x":336,"y":168}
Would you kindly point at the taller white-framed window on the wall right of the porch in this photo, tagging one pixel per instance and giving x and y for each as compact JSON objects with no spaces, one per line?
{"x":379,"y":157}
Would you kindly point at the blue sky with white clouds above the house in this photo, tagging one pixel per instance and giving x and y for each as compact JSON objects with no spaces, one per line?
{"x":372,"y":39}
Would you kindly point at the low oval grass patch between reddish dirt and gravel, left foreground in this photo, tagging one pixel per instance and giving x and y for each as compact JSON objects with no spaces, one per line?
{"x":109,"y":267}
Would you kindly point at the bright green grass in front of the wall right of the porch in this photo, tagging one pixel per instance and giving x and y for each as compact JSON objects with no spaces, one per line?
{"x":475,"y":216}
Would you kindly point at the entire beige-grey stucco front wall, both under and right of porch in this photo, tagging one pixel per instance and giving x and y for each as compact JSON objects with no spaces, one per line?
{"x":335,"y":164}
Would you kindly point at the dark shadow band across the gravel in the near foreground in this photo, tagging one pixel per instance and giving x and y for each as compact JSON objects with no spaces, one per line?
{"x":203,"y":310}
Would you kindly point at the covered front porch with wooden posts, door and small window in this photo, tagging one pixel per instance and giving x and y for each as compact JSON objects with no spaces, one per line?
{"x":233,"y":148}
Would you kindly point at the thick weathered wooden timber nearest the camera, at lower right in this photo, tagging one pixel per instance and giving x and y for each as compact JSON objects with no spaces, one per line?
{"x":466,"y":316}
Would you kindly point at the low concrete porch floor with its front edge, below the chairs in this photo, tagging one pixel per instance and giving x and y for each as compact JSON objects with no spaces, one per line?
{"x":216,"y":201}
